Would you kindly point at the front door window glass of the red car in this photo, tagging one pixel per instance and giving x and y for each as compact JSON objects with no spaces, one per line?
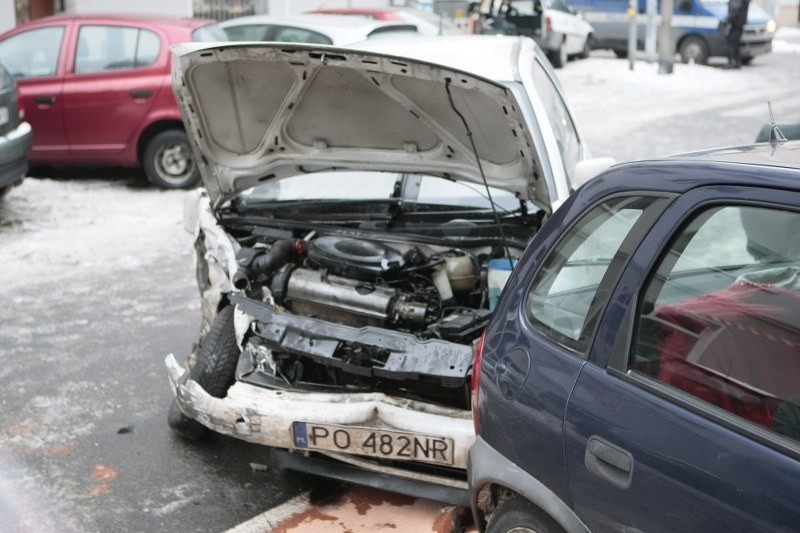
{"x":33,"y":53}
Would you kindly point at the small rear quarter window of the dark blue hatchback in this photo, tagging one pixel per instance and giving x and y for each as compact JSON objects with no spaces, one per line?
{"x":565,"y":290}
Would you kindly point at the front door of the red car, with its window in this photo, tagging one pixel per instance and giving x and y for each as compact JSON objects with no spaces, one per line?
{"x":35,"y":58}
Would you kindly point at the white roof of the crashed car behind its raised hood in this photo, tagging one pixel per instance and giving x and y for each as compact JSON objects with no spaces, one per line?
{"x":479,"y":54}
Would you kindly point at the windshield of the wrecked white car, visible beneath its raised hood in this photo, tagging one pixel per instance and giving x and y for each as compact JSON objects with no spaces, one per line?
{"x":354,"y":186}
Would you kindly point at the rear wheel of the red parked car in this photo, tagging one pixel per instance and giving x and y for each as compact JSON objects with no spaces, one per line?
{"x":168,"y":161}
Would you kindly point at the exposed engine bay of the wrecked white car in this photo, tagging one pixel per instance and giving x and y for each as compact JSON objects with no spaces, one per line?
{"x":337,"y":311}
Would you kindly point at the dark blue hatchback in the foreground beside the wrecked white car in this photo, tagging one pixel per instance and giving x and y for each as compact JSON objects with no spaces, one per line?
{"x":642,"y":369}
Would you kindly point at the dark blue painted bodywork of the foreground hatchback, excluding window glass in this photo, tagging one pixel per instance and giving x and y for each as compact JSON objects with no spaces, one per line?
{"x":549,"y":415}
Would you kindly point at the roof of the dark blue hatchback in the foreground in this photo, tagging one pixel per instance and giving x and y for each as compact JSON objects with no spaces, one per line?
{"x":751,"y":165}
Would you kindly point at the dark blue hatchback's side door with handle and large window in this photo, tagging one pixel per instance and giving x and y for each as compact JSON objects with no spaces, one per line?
{"x":687,"y":417}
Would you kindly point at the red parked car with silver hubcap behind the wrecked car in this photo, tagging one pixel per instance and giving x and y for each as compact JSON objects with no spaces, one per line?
{"x":97,"y":90}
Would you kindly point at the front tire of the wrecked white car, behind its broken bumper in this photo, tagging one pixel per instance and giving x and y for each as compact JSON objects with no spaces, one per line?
{"x":214,"y":370}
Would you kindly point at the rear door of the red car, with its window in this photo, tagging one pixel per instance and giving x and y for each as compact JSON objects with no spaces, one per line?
{"x":116,"y":74}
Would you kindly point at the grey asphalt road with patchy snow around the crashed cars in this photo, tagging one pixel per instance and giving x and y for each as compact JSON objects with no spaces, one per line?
{"x":96,"y":287}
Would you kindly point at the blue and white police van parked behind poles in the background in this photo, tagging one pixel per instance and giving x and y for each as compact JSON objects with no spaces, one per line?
{"x":696,"y":26}
